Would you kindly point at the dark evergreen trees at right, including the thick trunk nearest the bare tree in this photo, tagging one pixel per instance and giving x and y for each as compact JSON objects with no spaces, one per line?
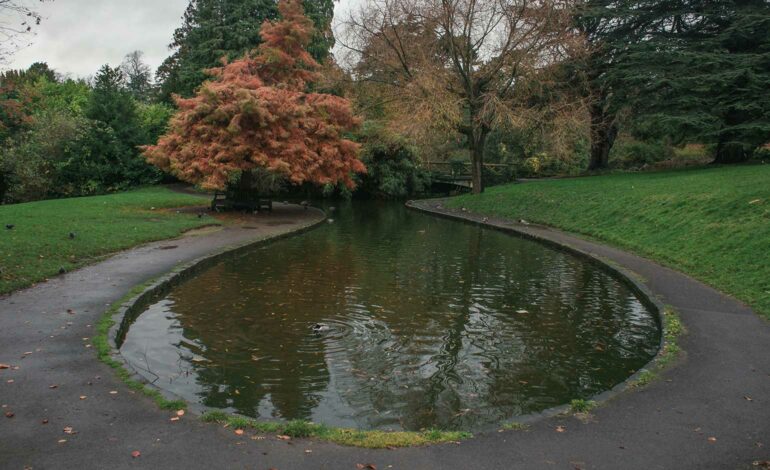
{"x":687,"y":70}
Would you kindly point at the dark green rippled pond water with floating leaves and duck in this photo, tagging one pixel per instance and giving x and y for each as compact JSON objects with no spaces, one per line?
{"x":426,"y":323}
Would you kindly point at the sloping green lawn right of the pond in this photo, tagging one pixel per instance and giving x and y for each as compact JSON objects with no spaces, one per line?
{"x":713,"y":223}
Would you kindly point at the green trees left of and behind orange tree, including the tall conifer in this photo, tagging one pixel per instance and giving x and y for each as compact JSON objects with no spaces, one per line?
{"x":68,"y":137}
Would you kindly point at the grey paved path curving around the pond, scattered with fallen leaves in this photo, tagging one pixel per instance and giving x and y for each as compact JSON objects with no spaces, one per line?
{"x":664,"y":426}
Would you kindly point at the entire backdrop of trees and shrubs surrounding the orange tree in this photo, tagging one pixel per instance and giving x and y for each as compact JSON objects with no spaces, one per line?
{"x":552,"y":87}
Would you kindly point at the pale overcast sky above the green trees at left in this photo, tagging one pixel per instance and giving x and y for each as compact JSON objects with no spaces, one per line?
{"x":79,"y":36}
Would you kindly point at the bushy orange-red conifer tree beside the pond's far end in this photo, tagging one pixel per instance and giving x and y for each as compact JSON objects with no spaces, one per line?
{"x":255,"y":113}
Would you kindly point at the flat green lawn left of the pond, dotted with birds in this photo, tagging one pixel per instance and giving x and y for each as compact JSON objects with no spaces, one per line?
{"x":39,"y":245}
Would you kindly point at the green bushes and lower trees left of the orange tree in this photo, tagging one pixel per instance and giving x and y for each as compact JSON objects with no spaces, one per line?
{"x":70,"y":137}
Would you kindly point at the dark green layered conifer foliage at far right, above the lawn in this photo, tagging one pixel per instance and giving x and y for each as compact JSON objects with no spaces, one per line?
{"x":703,"y":73}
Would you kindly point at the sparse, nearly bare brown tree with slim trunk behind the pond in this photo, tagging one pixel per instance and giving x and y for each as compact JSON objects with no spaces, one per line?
{"x":459,"y":65}
